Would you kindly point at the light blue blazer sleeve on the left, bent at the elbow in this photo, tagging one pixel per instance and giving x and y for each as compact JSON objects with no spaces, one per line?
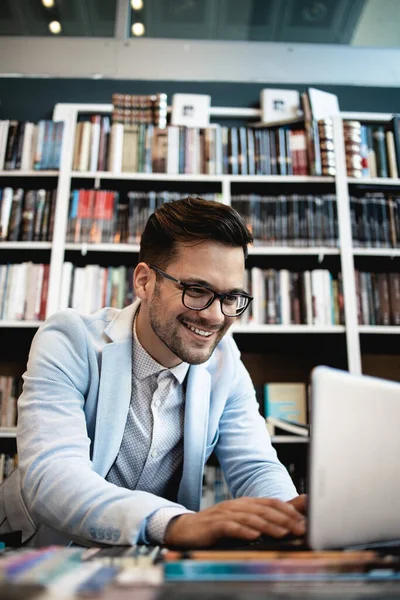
{"x":58,"y":484}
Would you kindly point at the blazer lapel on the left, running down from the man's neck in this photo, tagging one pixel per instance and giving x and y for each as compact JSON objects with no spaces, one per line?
{"x":115,"y":390}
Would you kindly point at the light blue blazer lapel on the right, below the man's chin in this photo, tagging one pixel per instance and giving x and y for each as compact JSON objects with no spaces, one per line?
{"x":195,"y":430}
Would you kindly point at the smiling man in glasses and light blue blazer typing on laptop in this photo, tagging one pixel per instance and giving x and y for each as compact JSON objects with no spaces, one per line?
{"x":121,"y":409}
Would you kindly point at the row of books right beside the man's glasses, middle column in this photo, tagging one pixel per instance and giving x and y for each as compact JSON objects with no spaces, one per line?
{"x":283,"y":297}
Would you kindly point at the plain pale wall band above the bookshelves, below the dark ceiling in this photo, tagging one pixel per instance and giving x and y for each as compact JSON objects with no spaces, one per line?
{"x":176,"y":60}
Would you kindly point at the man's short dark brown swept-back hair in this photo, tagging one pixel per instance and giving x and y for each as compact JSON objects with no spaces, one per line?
{"x":194,"y":220}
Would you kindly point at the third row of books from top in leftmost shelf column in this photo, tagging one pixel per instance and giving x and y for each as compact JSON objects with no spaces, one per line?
{"x":23,"y":291}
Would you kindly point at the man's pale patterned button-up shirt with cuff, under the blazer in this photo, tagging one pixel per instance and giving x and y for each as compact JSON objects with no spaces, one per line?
{"x":151,"y":453}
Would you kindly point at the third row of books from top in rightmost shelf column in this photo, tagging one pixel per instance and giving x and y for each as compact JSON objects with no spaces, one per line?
{"x":378,"y":298}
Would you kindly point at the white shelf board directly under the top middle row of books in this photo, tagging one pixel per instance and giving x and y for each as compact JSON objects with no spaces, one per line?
{"x":201,"y":177}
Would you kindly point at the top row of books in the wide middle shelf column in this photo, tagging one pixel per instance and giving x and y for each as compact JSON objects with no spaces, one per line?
{"x":214,"y":150}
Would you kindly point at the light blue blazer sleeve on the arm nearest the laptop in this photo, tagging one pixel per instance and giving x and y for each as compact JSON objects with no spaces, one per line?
{"x":244,"y":450}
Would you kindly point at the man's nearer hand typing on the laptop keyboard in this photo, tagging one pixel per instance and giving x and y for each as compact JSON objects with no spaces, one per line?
{"x":245,"y":518}
